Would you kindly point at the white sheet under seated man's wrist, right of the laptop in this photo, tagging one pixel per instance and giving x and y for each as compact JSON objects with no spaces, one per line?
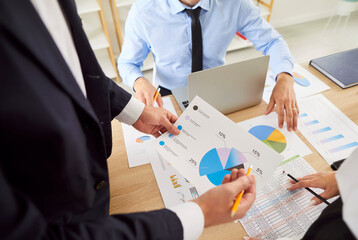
{"x":306,"y":84}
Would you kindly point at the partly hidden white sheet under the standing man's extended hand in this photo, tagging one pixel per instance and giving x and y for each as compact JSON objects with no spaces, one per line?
{"x":137,"y":143}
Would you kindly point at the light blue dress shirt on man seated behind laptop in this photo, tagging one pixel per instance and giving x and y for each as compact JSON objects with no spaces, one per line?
{"x":162,"y":27}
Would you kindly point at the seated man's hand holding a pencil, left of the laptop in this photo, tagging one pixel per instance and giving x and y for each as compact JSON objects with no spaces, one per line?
{"x":145,"y":92}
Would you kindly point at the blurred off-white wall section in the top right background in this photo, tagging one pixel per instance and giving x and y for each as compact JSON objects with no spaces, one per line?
{"x":288,"y":12}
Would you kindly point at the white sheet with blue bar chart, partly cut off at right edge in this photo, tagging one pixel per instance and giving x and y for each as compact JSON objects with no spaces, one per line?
{"x":331,"y":132}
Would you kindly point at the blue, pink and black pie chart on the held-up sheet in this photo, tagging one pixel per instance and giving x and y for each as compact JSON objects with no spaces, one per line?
{"x":218,"y":162}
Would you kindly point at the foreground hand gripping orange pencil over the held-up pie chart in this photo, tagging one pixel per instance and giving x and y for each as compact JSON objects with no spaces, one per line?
{"x":216,"y":203}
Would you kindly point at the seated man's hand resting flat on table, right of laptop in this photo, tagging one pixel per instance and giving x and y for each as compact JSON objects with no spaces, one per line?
{"x":283,"y":96}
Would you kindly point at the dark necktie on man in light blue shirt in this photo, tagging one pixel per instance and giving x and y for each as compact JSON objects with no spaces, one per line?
{"x":196,"y":40}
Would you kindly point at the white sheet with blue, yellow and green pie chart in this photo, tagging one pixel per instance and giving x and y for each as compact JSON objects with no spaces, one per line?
{"x":265,"y":128}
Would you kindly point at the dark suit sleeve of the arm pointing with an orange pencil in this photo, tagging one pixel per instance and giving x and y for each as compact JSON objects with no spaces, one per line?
{"x":21,"y":219}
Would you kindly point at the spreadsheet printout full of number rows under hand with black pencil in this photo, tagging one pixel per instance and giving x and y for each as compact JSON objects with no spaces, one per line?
{"x":278,"y":212}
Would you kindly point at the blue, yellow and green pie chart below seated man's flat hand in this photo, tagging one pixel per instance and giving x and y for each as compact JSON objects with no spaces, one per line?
{"x":270,"y":136}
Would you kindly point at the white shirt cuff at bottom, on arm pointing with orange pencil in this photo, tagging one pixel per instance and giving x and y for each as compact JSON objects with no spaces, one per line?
{"x":192,"y":219}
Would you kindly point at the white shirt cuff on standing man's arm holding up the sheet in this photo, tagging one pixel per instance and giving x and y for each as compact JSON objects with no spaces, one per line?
{"x":131,"y":112}
